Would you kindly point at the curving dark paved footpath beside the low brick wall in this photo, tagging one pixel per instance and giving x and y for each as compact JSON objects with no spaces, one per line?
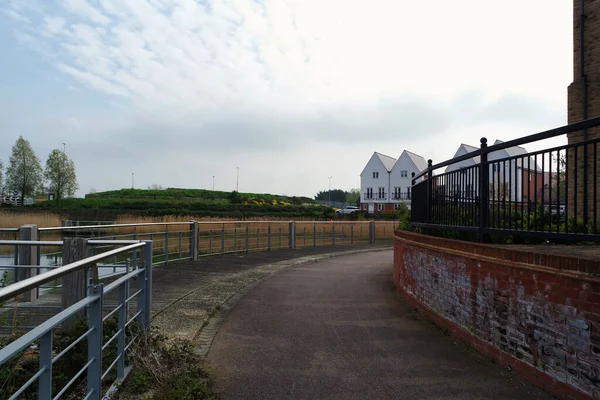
{"x":337,"y":329}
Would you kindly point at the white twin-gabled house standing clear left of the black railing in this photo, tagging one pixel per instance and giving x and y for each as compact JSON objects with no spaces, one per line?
{"x":385,"y":182}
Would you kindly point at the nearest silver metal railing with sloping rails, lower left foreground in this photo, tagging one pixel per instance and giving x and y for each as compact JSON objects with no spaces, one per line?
{"x":41,"y":337}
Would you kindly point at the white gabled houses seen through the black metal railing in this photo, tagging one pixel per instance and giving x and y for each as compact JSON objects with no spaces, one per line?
{"x":516,"y":179}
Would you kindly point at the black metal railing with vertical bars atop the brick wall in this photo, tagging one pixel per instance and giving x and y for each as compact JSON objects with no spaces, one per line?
{"x":549,"y":194}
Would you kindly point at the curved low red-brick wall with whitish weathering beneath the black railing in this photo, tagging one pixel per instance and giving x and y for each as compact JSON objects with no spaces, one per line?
{"x":536,"y":314}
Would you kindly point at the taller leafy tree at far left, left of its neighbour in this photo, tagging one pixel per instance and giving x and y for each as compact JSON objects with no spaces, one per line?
{"x":24,"y":172}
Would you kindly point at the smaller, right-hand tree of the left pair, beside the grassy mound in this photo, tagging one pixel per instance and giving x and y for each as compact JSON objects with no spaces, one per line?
{"x":60,"y":173}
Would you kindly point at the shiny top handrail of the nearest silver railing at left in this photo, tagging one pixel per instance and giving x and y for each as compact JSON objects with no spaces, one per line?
{"x":17,"y":288}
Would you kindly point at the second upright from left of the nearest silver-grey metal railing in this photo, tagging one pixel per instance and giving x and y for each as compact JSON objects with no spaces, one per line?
{"x":95,"y":341}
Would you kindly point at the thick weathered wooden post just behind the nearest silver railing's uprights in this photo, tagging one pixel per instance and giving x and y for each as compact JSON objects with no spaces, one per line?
{"x":74,"y":284}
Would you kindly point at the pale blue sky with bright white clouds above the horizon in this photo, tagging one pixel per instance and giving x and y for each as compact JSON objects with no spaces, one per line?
{"x":291,"y":92}
